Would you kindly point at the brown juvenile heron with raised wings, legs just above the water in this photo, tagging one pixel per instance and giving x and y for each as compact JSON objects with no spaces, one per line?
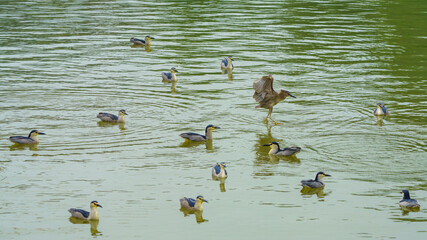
{"x":266,"y":96}
